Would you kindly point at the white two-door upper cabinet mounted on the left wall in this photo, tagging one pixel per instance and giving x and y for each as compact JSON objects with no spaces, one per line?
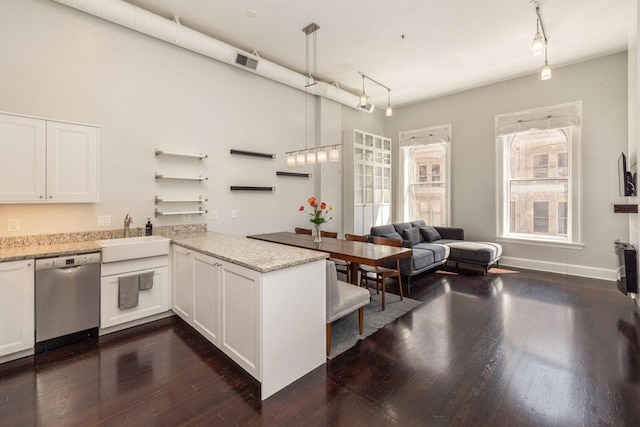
{"x":47,"y":161}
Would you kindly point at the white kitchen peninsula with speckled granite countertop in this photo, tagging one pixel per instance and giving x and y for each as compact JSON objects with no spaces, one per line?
{"x":262,"y":304}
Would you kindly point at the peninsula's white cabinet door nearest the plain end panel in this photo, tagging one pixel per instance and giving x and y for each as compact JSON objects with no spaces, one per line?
{"x":240,"y":327}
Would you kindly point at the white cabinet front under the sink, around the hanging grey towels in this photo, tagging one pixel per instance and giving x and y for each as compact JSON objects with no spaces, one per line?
{"x":151,"y":301}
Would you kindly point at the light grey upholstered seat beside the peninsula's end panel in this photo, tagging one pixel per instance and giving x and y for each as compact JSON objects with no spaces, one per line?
{"x":342,"y":299}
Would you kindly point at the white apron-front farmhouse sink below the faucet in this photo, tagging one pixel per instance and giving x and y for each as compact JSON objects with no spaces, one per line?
{"x":133,"y":248}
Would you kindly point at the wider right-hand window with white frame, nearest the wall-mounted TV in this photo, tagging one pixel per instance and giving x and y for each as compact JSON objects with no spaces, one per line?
{"x":539,"y":177}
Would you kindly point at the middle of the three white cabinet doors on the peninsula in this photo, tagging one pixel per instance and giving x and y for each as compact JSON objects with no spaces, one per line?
{"x":206,"y":292}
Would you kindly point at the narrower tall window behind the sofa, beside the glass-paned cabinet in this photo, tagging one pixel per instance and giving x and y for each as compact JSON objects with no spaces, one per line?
{"x":424,"y":163}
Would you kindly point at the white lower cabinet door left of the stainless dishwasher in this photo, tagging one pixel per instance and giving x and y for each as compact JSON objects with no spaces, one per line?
{"x":16,"y":306}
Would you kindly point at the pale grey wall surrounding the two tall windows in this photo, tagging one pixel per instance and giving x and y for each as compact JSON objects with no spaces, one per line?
{"x":601,"y":85}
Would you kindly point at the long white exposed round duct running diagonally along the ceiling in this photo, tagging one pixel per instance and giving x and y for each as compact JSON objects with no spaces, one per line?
{"x":171,"y":31}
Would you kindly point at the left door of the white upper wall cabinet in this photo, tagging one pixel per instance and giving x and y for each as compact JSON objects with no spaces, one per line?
{"x":22,"y":159}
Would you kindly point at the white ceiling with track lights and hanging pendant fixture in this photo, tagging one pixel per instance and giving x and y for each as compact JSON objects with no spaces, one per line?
{"x":448,"y":45}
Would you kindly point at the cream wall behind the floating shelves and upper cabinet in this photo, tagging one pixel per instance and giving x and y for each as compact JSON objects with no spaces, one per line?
{"x":63,"y":64}
